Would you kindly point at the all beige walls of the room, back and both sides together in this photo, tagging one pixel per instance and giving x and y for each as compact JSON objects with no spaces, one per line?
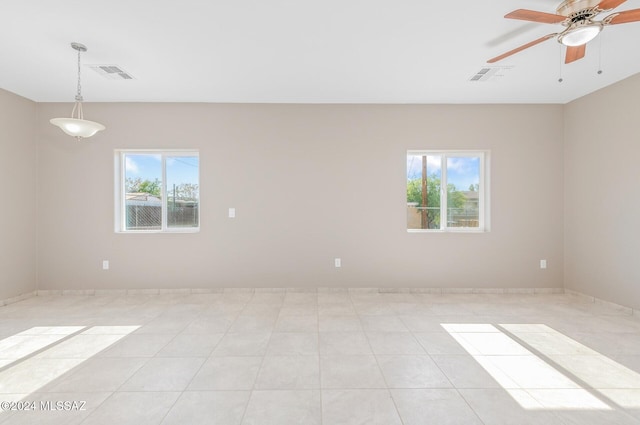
{"x":343,"y":166}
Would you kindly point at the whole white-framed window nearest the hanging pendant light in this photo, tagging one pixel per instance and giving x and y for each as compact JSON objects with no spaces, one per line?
{"x":157,"y":191}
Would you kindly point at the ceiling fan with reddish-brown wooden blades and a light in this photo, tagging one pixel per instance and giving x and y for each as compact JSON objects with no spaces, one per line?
{"x":578,"y":18}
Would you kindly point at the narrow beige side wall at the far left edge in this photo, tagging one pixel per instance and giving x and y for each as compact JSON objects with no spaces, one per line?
{"x":18,"y":209}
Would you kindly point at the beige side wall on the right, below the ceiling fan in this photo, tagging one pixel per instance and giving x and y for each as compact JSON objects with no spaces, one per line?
{"x":602,"y":197}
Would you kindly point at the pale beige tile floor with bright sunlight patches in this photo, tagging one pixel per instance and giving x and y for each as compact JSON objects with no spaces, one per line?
{"x":335,"y":358}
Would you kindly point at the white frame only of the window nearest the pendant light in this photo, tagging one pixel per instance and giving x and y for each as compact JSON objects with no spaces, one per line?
{"x":119,"y":192}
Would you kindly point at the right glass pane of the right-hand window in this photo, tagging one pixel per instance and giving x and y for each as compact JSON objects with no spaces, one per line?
{"x":463,"y":183}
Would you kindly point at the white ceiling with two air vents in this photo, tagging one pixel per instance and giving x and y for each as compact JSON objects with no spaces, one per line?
{"x":300,"y":51}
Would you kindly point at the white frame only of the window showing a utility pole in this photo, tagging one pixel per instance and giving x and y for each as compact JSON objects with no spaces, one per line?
{"x":483,"y":190}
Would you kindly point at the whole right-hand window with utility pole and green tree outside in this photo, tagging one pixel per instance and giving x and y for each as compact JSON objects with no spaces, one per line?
{"x":447,"y":191}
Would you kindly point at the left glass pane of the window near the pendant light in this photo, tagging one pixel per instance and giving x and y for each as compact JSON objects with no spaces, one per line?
{"x":143,"y":192}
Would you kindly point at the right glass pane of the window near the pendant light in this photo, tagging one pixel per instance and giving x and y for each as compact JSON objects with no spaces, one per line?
{"x":183,"y":196}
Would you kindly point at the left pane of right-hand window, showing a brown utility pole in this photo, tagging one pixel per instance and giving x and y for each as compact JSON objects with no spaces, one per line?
{"x":424,"y":173}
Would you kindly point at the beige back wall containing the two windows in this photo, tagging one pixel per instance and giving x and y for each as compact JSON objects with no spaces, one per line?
{"x":342,"y":165}
